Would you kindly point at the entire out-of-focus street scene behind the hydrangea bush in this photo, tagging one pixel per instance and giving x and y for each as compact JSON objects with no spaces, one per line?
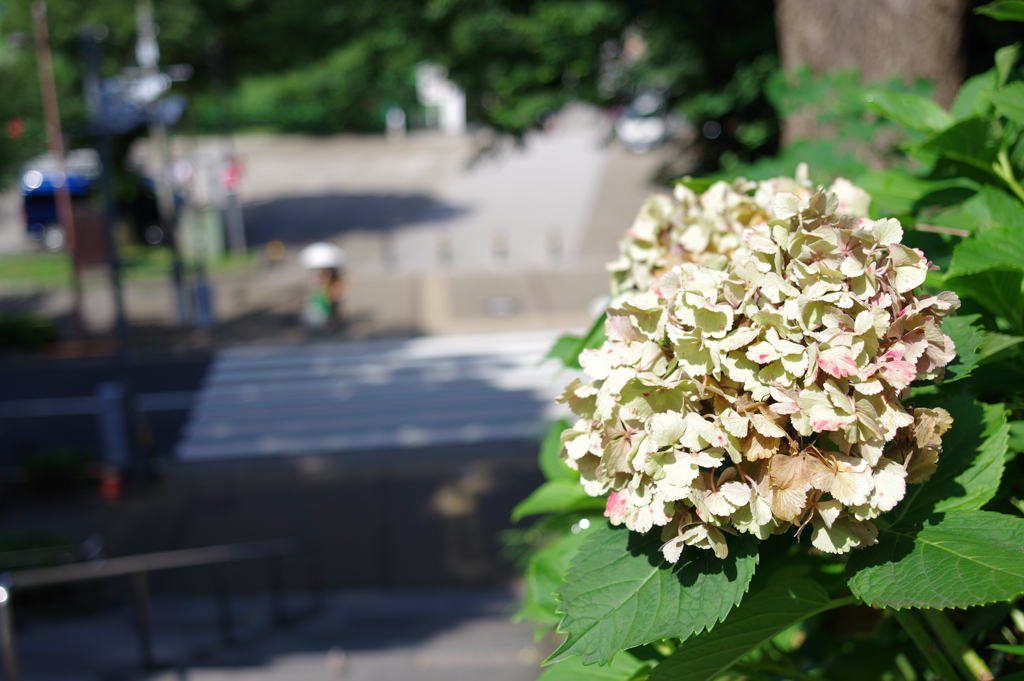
{"x":287,"y":273}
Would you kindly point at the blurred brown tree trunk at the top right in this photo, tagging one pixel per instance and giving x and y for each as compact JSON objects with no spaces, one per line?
{"x":882,"y":38}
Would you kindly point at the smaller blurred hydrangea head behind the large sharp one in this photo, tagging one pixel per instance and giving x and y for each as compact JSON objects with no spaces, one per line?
{"x":708,"y":229}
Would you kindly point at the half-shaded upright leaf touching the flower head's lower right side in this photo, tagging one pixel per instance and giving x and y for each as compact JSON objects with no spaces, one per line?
{"x":971,"y":464}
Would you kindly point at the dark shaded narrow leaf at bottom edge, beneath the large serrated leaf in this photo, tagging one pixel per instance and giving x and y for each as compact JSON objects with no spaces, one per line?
{"x":759,"y":618}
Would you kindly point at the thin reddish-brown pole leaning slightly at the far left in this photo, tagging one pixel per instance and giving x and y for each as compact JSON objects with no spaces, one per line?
{"x":55,"y":138}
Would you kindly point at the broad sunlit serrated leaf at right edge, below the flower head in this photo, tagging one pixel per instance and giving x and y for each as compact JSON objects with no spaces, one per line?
{"x":953,"y":560}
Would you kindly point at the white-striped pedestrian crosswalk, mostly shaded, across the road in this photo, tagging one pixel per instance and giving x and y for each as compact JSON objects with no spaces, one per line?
{"x":348,"y":397}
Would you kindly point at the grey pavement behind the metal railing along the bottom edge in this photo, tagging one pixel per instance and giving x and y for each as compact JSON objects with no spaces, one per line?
{"x":455,"y":635}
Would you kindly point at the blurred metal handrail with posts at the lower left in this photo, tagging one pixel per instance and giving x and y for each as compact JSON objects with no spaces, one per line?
{"x":139,"y":568}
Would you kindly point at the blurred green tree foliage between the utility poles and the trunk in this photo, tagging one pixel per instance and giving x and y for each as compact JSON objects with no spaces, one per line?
{"x":339,"y":66}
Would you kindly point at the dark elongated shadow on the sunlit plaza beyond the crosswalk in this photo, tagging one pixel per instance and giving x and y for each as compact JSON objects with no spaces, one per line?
{"x":304,"y":220}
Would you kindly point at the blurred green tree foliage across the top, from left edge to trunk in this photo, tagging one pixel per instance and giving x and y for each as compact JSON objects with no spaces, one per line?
{"x":323,"y":66}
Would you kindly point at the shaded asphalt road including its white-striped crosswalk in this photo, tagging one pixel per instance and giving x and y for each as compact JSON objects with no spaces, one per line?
{"x":281,"y":444}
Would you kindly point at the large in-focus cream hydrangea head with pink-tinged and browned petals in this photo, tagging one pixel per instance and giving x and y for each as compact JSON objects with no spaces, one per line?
{"x":765,"y":393}
